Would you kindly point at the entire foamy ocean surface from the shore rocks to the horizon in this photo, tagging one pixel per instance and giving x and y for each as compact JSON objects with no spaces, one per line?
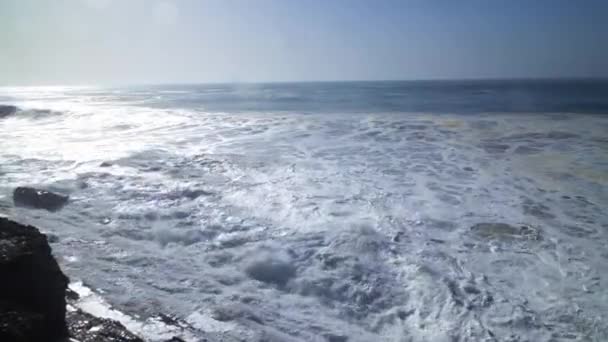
{"x":338,"y":211}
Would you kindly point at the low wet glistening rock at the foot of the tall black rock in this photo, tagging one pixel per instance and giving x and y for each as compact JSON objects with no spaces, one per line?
{"x":87,"y":328}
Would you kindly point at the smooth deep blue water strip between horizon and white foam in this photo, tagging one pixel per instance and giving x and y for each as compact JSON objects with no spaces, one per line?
{"x":494,"y":96}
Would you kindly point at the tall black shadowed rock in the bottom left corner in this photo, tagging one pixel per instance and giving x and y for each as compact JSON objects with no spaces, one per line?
{"x":32,"y":287}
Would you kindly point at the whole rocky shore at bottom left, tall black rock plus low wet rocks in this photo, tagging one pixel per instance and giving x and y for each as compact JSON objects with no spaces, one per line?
{"x":33,"y":294}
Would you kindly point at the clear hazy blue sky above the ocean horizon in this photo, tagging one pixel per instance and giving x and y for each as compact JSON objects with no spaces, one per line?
{"x":88,"y":42}
